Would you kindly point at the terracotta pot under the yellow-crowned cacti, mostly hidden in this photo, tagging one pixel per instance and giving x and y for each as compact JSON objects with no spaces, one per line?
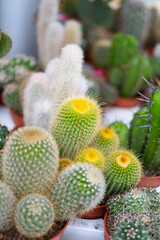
{"x":97,"y":212}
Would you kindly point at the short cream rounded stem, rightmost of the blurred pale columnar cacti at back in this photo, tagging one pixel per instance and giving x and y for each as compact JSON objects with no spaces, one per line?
{"x":72,"y":33}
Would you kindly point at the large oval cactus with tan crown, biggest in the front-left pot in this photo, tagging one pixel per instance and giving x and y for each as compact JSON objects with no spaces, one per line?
{"x":30,"y":161}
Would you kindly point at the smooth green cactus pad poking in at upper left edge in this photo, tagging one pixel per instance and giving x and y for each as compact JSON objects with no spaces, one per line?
{"x":5,"y":44}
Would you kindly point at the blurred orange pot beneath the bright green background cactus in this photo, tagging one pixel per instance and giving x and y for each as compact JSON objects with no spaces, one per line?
{"x":126,"y":102}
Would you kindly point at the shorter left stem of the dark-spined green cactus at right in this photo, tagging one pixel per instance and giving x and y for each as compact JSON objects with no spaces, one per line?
{"x":139,"y":130}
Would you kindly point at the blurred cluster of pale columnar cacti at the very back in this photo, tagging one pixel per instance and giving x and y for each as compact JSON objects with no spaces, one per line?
{"x":52,"y":34}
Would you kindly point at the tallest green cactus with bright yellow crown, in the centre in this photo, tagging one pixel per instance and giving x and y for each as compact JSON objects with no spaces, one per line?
{"x":75,"y":125}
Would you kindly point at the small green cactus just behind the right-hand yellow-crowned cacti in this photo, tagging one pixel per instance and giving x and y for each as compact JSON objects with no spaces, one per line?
{"x":123,"y":133}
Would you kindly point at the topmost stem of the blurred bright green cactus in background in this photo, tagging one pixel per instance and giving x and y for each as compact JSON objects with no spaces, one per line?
{"x":124,"y":47}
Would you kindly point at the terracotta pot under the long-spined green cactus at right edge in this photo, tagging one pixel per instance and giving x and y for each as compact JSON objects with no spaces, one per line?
{"x":149,"y":182}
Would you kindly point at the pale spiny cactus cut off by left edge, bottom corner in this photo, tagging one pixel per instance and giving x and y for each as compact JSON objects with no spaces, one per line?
{"x":7,"y":206}
